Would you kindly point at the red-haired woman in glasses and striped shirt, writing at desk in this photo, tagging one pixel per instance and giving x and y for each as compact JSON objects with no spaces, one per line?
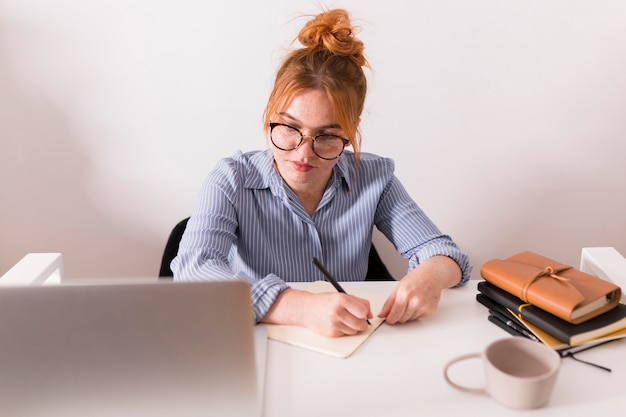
{"x":262,"y":216}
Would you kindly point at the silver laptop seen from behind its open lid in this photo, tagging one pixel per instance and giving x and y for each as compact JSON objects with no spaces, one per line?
{"x":149,"y":349}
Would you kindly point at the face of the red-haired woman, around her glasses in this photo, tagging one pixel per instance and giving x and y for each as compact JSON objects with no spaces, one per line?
{"x":310,"y":112}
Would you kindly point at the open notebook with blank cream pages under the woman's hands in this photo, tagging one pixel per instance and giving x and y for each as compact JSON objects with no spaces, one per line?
{"x":341,"y":347}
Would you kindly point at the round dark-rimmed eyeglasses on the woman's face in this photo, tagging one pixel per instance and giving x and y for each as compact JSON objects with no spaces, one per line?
{"x":288,"y":138}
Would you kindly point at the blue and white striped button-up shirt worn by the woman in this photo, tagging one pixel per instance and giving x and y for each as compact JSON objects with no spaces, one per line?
{"x":249,"y":225}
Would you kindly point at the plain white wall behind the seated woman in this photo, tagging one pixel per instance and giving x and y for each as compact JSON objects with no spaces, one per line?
{"x":505,"y":118}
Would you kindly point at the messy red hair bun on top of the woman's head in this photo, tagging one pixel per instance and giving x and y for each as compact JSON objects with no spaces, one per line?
{"x":332,"y":30}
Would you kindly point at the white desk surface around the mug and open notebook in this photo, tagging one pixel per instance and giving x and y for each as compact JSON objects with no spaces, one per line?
{"x":399,"y":370}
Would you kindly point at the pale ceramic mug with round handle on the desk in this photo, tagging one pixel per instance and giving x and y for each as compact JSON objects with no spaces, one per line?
{"x":519,"y":373}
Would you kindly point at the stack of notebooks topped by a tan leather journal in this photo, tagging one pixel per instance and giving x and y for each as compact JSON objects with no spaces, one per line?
{"x":536,"y":297}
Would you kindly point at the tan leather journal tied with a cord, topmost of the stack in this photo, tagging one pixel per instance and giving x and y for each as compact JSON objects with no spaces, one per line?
{"x":559,"y":289}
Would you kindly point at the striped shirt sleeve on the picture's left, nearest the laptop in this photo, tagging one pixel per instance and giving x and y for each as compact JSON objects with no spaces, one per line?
{"x":204,"y":249}
